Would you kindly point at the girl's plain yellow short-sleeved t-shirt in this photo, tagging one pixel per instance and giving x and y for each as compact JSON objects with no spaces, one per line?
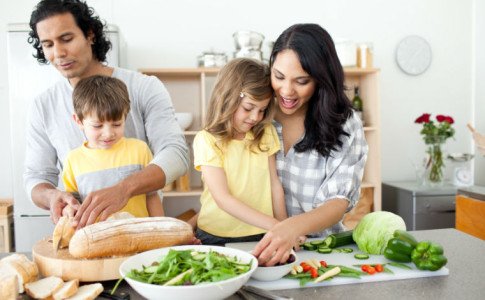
{"x":248,"y":179}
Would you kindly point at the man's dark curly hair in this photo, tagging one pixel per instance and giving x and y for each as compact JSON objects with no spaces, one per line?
{"x":85,"y":19}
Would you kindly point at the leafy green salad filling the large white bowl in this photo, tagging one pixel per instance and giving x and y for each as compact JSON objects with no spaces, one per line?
{"x":189,"y":267}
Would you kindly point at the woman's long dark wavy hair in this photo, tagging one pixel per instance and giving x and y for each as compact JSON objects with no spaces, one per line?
{"x":329,"y":107}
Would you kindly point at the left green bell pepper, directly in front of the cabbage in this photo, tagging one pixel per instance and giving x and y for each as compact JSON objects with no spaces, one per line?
{"x":400,"y":247}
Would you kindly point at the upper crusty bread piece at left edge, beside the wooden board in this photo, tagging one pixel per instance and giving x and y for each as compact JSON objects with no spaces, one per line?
{"x":25,"y":269}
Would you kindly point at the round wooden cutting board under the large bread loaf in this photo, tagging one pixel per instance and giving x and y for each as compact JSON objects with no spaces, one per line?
{"x":63,"y":265}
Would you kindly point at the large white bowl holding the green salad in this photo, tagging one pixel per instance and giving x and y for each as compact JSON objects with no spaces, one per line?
{"x":216,"y":290}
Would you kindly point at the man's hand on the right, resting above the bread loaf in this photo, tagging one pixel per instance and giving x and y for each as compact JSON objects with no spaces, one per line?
{"x":99,"y":205}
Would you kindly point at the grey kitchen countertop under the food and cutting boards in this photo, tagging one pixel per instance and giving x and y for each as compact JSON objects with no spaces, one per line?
{"x":466,"y":264}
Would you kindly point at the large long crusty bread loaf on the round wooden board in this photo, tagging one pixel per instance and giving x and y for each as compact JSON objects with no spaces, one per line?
{"x":128,"y":236}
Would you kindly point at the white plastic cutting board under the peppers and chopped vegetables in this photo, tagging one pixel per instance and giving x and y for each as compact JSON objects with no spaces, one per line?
{"x":345,"y":259}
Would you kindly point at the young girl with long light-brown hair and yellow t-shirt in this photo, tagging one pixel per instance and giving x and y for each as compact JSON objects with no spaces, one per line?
{"x":235,"y":152}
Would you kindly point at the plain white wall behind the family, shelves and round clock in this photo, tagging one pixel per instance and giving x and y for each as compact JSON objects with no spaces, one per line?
{"x":172,"y":33}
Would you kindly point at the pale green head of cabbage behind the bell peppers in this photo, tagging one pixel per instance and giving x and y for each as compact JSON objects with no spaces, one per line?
{"x":375,"y":229}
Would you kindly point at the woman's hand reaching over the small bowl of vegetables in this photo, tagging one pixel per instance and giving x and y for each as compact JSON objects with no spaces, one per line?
{"x":276,"y":244}
